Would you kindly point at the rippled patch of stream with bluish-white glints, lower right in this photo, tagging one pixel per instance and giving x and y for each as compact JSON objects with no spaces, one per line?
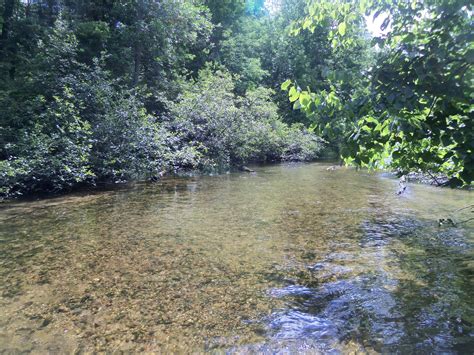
{"x":365,"y":296}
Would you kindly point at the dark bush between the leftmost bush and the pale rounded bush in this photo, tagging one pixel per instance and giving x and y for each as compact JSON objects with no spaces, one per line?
{"x":127,"y":142}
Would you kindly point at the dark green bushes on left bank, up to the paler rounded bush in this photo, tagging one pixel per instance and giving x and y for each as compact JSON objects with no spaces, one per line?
{"x":75,"y":128}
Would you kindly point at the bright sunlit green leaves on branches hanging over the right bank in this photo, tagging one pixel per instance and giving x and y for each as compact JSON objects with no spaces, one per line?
{"x":412,"y":108}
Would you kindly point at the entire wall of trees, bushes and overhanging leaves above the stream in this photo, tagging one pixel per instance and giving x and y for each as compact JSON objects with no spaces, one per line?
{"x":115,"y":90}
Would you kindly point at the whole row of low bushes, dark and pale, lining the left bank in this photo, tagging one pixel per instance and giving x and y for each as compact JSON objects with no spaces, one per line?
{"x":91,"y":129}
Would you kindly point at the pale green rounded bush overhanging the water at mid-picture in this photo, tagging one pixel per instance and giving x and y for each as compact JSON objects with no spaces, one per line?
{"x":226,"y":129}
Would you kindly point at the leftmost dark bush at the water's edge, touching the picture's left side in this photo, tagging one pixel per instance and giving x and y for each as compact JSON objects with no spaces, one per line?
{"x":52,"y":155}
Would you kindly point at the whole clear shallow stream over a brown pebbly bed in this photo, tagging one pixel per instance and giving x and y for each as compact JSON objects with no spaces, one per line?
{"x":293,"y":258}
